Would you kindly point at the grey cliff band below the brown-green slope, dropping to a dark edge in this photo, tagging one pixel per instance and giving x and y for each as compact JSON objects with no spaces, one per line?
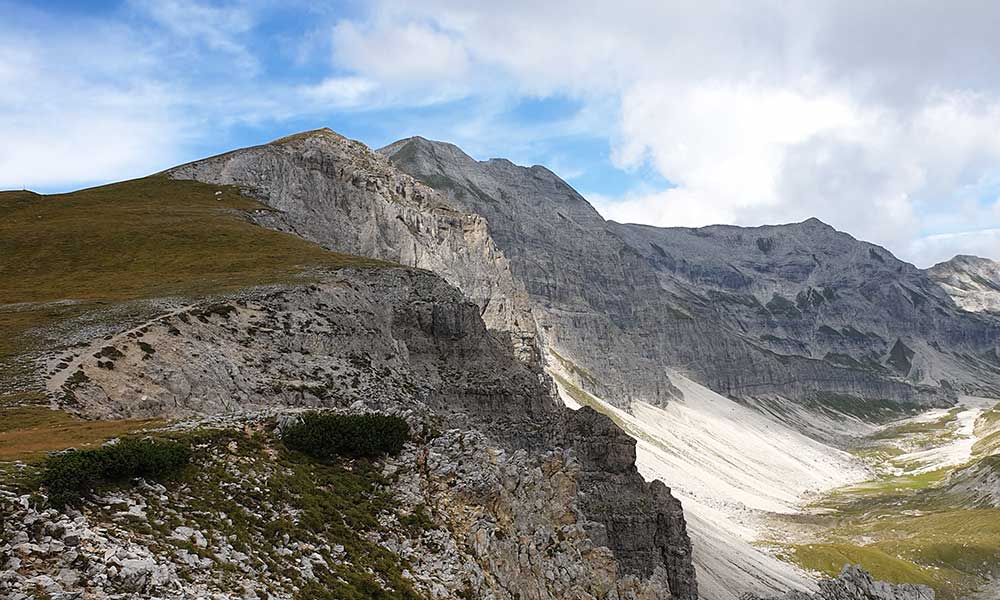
{"x":391,"y":339}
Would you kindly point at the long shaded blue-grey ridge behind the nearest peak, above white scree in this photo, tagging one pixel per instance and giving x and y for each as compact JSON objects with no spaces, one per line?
{"x":795,"y":311}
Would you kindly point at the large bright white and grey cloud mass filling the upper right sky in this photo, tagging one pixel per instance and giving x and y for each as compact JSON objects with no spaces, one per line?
{"x":877,"y":119}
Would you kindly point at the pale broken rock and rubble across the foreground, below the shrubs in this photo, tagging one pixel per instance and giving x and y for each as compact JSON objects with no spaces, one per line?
{"x":467,"y":519}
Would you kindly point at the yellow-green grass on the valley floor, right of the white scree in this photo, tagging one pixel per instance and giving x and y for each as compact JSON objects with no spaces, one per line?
{"x":905,"y":526}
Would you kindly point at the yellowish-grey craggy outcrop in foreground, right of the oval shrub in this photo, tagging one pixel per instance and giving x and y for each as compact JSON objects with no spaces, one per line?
{"x":516,"y":529}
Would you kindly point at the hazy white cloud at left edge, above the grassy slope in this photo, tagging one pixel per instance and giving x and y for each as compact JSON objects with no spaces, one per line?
{"x":58,"y":128}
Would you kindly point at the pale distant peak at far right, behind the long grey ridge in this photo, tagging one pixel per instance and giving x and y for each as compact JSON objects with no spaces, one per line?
{"x":973,"y":282}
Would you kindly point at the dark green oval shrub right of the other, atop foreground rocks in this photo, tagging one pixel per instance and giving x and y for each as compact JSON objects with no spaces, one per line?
{"x":328,"y":435}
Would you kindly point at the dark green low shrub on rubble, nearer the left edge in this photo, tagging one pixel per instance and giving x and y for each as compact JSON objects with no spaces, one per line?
{"x":70,"y":475}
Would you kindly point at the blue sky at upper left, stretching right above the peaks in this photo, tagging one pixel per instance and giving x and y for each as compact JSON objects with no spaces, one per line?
{"x":274,"y":51}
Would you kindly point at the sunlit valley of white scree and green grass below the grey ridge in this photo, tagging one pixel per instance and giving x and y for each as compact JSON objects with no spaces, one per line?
{"x":771,"y":508}
